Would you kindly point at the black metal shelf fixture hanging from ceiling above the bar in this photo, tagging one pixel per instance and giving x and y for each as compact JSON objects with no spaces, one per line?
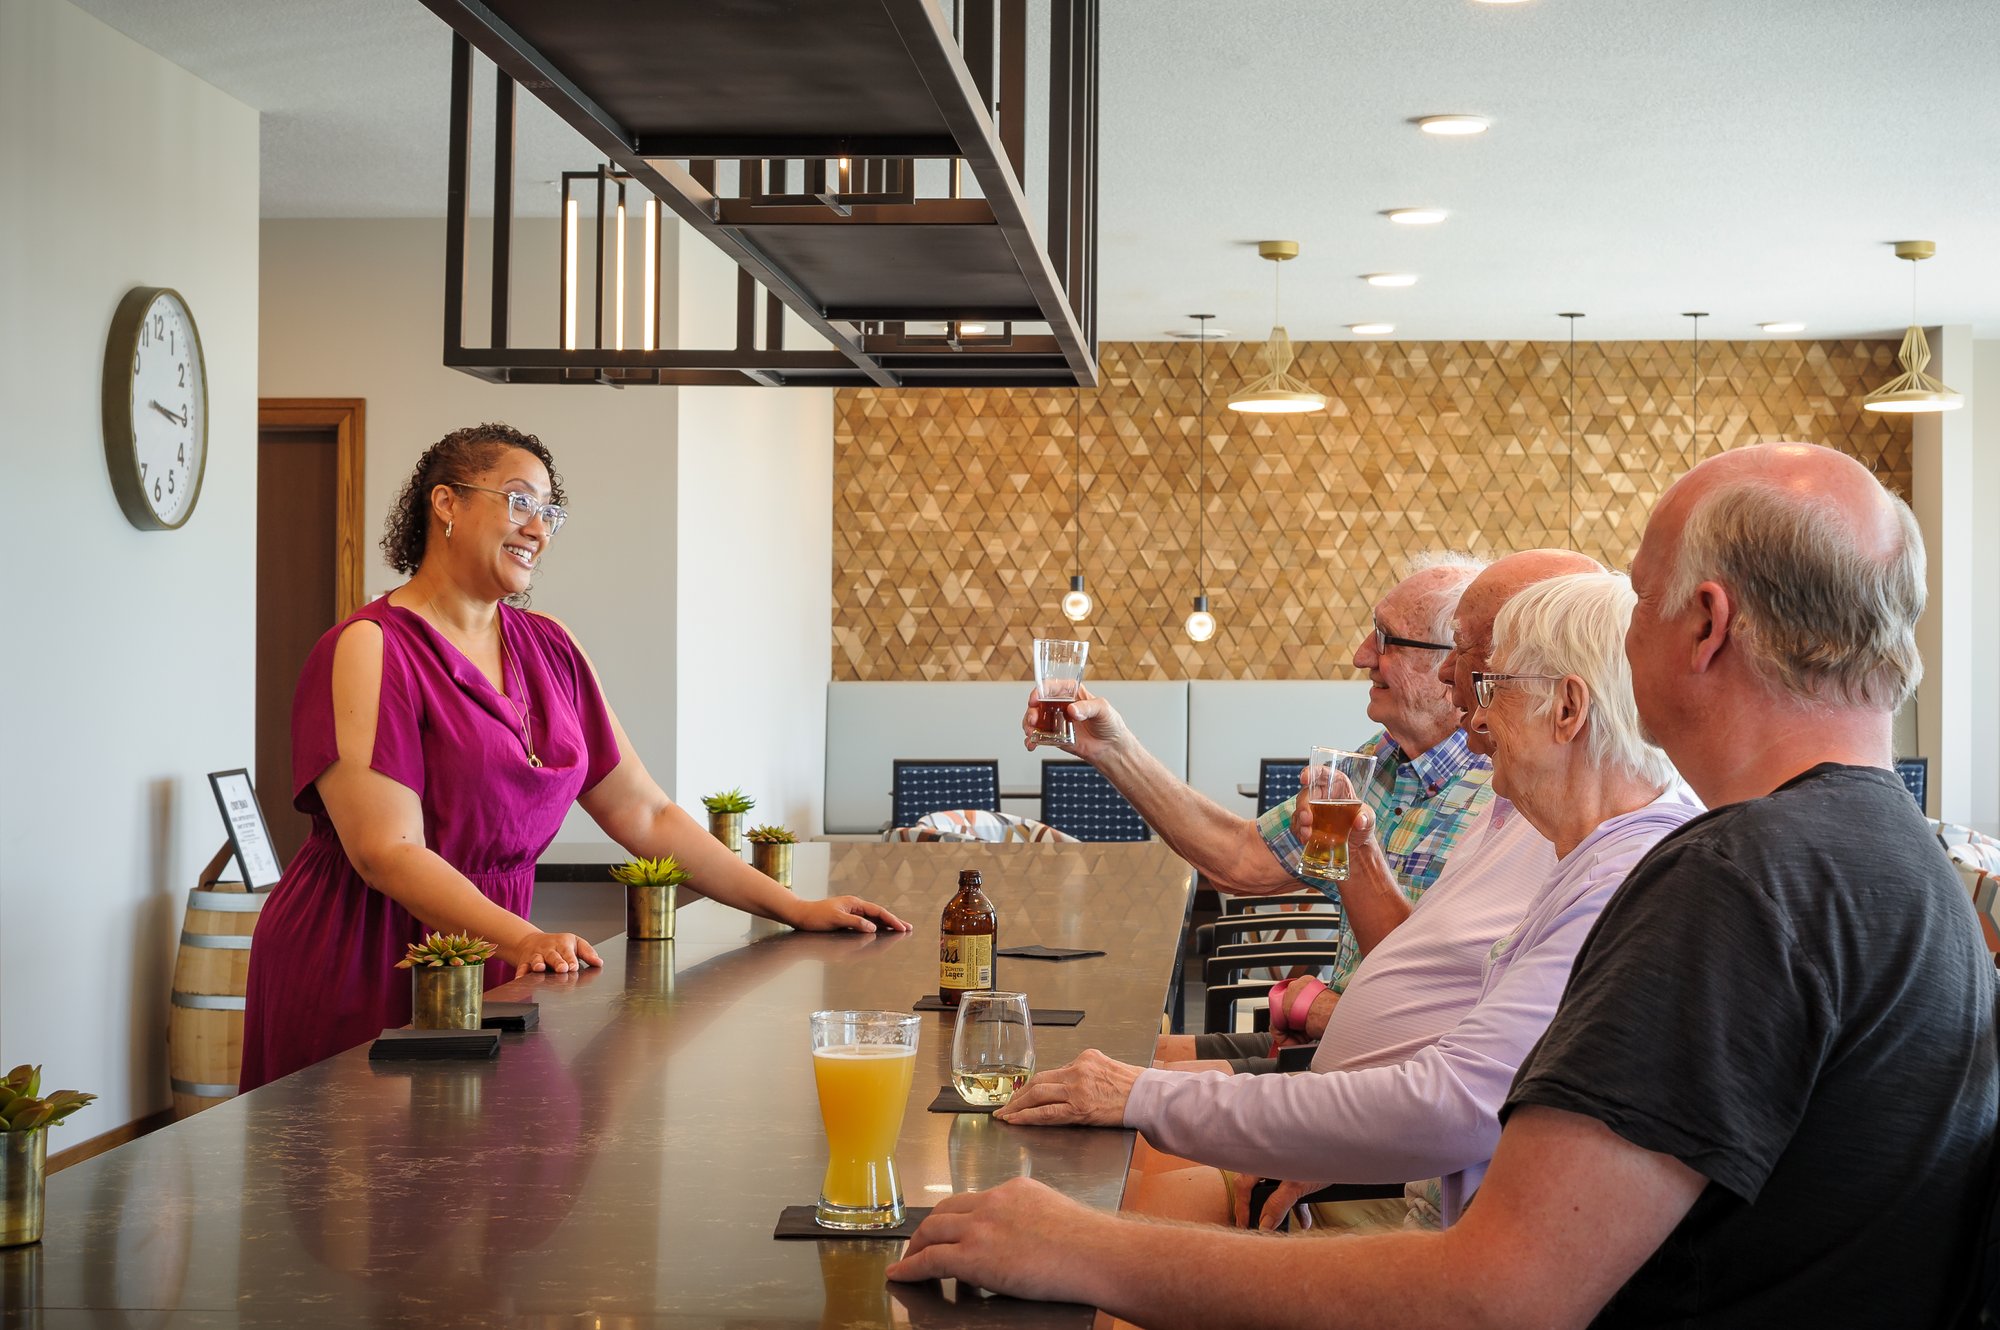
{"x":905,"y":241}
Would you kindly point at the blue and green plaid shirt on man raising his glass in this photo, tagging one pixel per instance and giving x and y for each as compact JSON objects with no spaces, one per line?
{"x":1421,"y":807}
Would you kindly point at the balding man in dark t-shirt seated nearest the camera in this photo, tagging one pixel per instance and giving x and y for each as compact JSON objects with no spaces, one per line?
{"x":1769,"y":1095}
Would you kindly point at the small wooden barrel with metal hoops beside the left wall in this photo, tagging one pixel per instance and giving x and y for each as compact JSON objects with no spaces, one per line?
{"x":205,"y":1035}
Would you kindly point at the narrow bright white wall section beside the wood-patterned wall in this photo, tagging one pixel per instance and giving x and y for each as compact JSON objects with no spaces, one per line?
{"x":757,"y":571}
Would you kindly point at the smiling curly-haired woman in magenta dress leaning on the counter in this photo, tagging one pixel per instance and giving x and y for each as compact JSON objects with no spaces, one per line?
{"x":439,"y":739}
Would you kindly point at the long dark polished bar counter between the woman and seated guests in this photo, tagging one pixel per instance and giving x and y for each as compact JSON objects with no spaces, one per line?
{"x":623,"y":1165}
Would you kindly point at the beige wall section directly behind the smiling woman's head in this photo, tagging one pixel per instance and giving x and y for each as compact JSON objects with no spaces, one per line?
{"x":355,"y":309}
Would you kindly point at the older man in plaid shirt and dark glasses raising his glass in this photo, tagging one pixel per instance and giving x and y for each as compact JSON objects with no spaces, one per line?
{"x":1429,"y":787}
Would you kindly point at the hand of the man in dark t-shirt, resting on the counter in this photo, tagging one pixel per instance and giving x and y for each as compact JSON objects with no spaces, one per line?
{"x":1019,"y":1239}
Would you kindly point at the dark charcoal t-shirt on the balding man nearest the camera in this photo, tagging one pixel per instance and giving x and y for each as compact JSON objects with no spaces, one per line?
{"x":1793,"y":999}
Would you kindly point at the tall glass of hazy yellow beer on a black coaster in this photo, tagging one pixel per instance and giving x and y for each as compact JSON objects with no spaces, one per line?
{"x":863,"y":1065}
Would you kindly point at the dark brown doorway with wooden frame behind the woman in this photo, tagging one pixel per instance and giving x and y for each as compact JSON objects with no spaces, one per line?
{"x":309,"y":559}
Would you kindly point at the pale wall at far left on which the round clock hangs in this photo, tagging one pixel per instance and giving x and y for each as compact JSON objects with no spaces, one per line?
{"x":127,"y":677}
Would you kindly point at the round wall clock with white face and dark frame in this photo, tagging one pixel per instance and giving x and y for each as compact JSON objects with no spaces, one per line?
{"x":155,"y":409}
